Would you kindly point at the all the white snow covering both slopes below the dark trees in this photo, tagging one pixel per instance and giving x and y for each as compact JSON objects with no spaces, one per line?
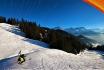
{"x":40,"y":58}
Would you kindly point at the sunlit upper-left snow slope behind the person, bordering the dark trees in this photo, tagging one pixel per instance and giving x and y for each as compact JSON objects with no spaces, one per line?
{"x":11,"y":43}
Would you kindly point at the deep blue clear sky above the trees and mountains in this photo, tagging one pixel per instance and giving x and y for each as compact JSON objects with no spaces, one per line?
{"x":53,"y":13}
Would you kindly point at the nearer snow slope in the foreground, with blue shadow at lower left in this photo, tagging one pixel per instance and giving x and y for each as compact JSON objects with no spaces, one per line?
{"x":51,"y":59}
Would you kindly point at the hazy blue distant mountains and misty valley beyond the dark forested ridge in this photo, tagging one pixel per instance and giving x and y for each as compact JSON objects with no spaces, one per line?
{"x":94,"y":34}
